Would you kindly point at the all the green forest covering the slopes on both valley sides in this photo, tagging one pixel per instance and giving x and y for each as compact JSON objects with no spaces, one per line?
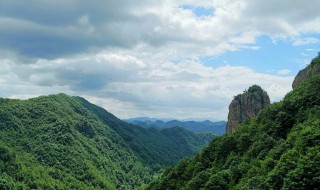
{"x":65,"y":142}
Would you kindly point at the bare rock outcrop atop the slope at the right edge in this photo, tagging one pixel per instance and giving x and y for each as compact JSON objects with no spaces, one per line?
{"x":311,"y":70}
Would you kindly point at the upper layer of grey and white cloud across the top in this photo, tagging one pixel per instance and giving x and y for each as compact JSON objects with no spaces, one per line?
{"x":51,"y":29}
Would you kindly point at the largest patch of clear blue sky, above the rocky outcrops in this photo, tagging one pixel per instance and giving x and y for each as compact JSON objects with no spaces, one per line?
{"x":269,"y":57}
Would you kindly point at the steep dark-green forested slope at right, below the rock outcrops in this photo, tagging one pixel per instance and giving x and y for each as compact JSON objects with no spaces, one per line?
{"x":279,"y":149}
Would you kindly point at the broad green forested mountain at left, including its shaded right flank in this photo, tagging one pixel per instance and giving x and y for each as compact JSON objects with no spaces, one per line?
{"x":63,"y":142}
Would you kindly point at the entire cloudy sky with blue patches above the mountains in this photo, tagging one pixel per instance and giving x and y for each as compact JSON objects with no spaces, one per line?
{"x":163,"y":59}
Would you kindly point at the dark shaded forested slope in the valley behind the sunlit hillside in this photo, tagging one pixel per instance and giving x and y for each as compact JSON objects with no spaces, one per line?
{"x":156,"y":148}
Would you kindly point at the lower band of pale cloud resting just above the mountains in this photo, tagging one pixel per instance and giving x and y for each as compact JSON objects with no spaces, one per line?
{"x":127,"y":86}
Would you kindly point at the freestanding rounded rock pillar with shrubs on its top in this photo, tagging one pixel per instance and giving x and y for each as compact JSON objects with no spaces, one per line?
{"x":246,"y":106}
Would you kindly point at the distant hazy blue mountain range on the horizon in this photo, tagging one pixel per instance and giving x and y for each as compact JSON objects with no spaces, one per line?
{"x":193,"y":126}
